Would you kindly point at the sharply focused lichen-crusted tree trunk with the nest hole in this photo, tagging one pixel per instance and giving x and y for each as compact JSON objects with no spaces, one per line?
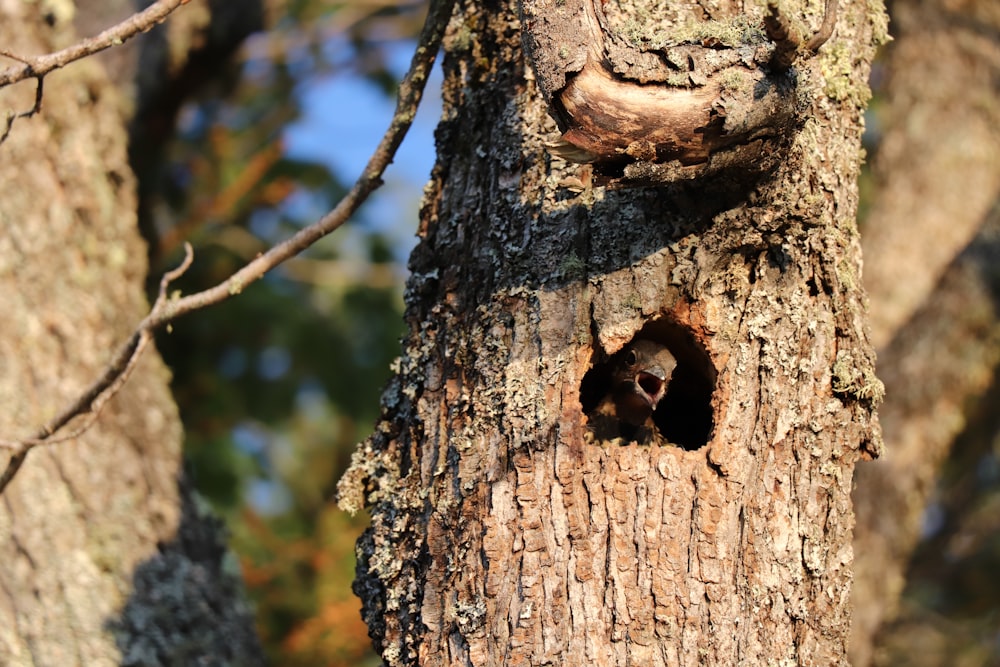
{"x":502,"y":532}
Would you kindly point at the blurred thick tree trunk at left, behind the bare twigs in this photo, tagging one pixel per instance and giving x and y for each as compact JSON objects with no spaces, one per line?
{"x":108,"y":558}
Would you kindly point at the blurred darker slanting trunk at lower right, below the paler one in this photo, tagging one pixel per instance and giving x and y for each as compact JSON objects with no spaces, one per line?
{"x":934,"y":370}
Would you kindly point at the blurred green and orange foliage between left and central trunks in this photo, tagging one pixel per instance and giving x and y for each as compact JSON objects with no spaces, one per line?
{"x":277,"y":385}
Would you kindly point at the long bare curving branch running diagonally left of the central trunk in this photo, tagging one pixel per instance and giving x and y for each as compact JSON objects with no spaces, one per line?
{"x":166,"y":309}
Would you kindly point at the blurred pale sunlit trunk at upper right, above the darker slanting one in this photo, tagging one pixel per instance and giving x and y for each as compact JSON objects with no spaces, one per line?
{"x":937,"y":170}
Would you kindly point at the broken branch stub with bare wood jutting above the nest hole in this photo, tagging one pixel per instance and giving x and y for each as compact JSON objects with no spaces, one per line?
{"x":667,"y":98}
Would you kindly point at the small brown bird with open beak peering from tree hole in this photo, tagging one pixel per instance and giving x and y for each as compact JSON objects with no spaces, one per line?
{"x":639,"y":375}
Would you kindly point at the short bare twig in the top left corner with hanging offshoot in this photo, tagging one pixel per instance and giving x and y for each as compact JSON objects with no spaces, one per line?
{"x":36,"y":67}
